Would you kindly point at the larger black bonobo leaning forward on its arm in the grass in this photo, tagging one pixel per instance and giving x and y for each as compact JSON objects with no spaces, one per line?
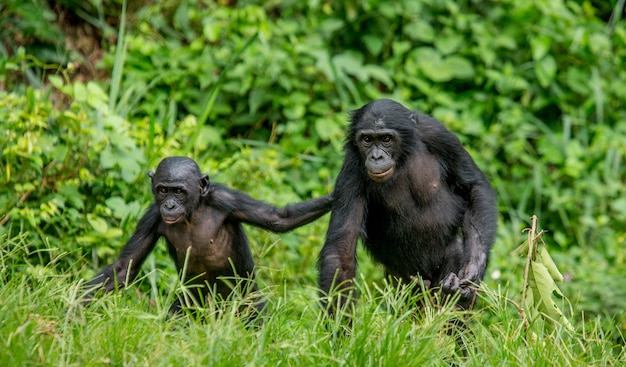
{"x":416,"y":199}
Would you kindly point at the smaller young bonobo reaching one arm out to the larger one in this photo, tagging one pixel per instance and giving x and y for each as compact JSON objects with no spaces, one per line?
{"x":201,"y":222}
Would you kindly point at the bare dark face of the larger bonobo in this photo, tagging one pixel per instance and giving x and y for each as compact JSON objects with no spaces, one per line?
{"x":378,"y":148}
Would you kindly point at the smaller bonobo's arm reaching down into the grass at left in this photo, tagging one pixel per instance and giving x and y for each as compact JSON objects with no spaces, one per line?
{"x":131,"y":257}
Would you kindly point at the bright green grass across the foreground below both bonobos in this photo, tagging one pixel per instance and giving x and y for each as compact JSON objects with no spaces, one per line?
{"x":41,"y":326}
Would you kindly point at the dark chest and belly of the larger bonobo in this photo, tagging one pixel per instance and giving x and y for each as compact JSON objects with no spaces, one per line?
{"x":408,"y":233}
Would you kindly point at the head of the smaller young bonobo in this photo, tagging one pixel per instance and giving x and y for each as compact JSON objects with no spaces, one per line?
{"x":178,"y":186}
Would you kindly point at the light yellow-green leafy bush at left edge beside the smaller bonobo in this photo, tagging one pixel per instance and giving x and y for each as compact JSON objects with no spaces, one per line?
{"x":60,"y":169}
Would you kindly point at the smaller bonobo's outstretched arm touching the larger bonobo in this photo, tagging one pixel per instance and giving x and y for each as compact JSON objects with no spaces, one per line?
{"x":241,"y":207}
